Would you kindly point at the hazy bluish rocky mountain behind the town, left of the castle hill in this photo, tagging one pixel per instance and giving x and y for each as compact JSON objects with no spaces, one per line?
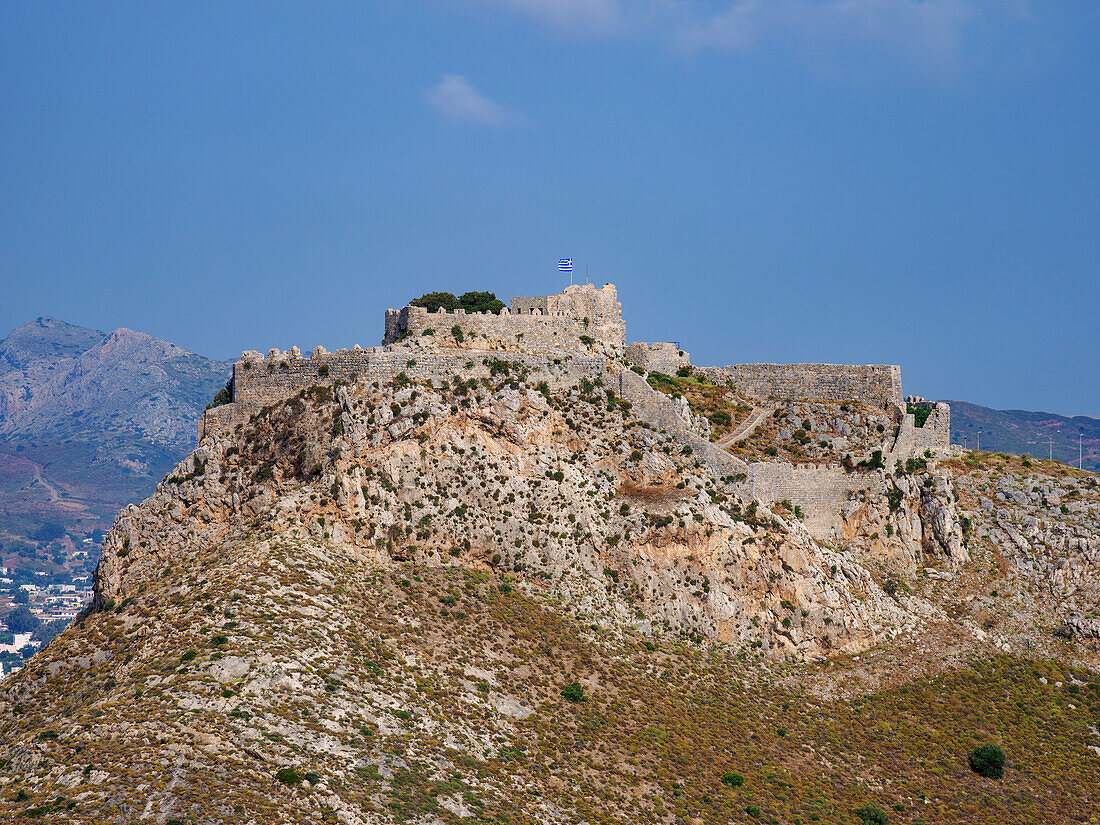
{"x":90,"y":423}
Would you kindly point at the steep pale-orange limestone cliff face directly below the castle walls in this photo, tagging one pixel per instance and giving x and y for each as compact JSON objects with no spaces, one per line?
{"x":560,"y":487}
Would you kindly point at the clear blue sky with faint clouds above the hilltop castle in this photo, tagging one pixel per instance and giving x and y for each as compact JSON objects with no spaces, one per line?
{"x":840,"y":181}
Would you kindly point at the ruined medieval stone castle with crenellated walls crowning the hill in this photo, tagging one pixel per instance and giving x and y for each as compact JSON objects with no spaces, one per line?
{"x":580,"y":334}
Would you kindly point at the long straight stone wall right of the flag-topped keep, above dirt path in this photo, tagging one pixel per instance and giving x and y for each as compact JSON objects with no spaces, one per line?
{"x":877,"y":386}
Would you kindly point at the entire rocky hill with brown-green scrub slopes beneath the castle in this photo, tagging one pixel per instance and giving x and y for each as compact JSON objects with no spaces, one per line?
{"x":527,"y":590}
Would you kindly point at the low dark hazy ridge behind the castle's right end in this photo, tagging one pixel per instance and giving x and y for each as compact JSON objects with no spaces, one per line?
{"x":1021,"y":432}
